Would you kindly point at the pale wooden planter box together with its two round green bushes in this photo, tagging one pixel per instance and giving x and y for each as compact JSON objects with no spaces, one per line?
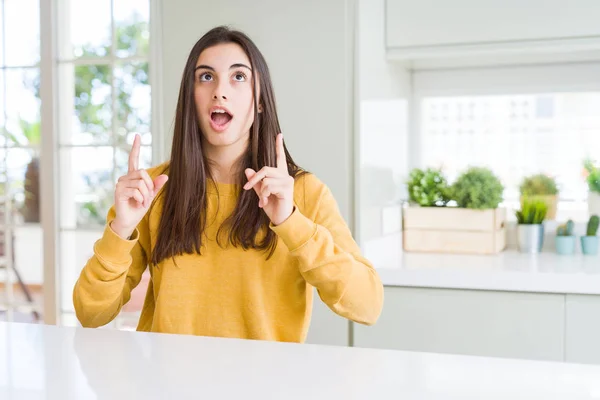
{"x":475,"y":226}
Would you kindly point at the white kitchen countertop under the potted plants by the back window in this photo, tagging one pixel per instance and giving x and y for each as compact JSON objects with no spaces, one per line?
{"x":509,"y":270}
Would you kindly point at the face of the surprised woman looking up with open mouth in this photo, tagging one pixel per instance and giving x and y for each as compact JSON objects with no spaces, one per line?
{"x":223,"y":94}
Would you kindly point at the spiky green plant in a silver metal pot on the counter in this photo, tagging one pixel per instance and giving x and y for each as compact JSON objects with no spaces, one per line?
{"x":530,"y":228}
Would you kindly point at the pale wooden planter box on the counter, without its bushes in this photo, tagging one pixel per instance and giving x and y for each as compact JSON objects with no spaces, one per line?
{"x":454,"y":230}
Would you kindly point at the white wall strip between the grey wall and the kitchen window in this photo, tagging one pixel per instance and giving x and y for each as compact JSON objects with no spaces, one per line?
{"x":383,"y":96}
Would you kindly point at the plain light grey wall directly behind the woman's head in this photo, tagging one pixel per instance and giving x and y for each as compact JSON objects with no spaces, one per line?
{"x":309,"y":48}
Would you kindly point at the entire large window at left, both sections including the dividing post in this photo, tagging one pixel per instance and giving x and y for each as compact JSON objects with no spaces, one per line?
{"x":103,"y":98}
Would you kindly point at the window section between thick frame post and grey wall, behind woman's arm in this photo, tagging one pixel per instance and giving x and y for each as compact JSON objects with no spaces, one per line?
{"x":104,"y":101}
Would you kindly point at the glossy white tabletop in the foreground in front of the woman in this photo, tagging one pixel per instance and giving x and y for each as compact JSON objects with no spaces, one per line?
{"x":51,"y":363}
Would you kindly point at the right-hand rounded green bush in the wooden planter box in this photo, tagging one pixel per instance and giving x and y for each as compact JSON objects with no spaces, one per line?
{"x":477,"y":188}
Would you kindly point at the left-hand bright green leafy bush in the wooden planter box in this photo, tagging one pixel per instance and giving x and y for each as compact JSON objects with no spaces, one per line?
{"x":428,"y":188}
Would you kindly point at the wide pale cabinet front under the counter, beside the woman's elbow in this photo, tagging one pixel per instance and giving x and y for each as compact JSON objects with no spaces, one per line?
{"x":484,"y":323}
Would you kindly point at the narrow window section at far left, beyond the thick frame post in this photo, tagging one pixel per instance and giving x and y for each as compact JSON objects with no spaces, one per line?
{"x":20,"y":231}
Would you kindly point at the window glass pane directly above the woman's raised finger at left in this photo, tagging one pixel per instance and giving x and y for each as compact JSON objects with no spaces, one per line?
{"x":132,"y":101}
